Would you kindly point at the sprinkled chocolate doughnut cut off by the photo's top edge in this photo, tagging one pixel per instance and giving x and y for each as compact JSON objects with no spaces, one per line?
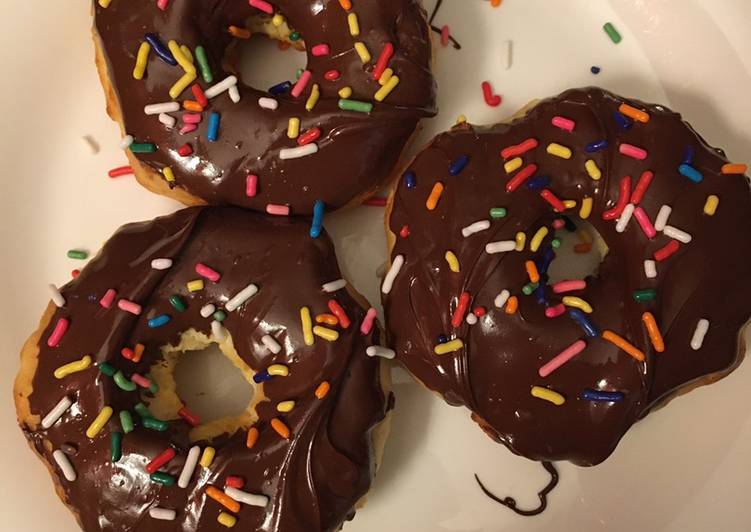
{"x":193,"y":132}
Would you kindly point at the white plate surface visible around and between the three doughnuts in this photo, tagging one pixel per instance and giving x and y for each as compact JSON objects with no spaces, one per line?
{"x":685,"y":468}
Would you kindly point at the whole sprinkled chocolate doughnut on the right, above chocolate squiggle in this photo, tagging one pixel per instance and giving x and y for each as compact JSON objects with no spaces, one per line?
{"x":562,"y":373}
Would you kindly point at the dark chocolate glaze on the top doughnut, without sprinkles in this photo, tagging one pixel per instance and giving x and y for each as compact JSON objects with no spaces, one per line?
{"x":357,"y":151}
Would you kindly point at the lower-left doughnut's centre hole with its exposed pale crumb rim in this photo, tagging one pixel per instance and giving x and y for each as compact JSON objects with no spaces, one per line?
{"x":210,"y":378}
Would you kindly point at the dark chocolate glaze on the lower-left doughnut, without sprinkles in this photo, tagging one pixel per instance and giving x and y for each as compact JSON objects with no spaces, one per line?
{"x":314,"y":479}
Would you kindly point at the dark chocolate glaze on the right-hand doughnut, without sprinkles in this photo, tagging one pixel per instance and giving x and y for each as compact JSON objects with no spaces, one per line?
{"x":494,"y":373}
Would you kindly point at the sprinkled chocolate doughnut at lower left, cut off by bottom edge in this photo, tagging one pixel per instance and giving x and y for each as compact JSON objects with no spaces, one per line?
{"x":96,"y":397}
